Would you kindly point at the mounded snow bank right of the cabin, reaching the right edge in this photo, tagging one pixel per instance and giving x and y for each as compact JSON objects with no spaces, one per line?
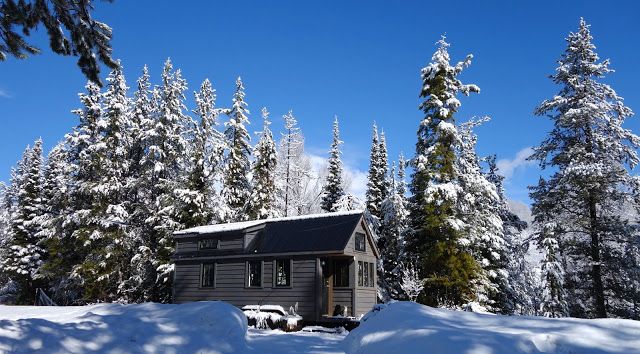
{"x":406,"y":327}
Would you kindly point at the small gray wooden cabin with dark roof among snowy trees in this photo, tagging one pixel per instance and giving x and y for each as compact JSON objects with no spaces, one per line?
{"x":318,"y":261}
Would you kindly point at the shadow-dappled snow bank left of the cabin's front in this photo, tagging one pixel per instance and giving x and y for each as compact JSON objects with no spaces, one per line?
{"x":202,"y":327}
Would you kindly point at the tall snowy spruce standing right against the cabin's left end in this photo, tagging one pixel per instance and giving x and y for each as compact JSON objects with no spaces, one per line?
{"x":163,"y":166}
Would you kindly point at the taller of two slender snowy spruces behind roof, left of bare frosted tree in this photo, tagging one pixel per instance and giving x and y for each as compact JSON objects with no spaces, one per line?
{"x":236,"y":186}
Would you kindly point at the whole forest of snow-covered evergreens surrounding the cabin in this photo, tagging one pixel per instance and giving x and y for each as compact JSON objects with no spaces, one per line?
{"x":92,"y":220}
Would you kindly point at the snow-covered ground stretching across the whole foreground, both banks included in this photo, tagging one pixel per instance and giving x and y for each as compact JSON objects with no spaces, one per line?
{"x":216,"y":327}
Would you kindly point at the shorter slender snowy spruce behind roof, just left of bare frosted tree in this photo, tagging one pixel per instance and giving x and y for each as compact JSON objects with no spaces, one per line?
{"x":261,"y":203}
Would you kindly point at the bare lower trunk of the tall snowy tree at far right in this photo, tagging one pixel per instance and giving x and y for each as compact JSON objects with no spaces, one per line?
{"x":596,"y":267}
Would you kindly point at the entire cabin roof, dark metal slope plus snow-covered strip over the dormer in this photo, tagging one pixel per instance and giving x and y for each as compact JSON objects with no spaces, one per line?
{"x":307,"y":233}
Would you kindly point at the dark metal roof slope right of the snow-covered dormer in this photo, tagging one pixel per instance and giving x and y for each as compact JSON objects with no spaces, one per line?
{"x":315,"y":234}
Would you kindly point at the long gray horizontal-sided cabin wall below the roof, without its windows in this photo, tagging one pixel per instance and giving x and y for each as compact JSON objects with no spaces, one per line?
{"x":230,"y":284}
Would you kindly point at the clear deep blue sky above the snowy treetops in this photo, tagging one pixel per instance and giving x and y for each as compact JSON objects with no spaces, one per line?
{"x":359,"y":60}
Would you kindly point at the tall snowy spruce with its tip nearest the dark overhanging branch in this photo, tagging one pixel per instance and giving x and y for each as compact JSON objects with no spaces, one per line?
{"x":106,"y":264}
